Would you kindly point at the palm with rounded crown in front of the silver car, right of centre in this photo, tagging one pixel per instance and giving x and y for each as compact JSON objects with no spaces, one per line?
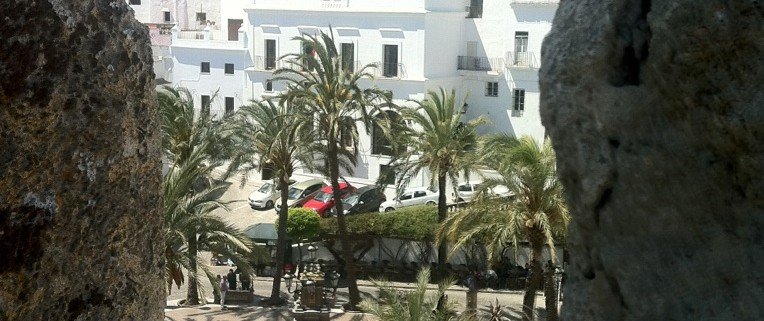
{"x":440,"y":142}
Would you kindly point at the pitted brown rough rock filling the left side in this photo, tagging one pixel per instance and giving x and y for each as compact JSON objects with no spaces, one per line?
{"x":80,"y":227}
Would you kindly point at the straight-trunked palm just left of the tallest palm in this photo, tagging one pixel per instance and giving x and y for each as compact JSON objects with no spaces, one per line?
{"x":269,"y":137}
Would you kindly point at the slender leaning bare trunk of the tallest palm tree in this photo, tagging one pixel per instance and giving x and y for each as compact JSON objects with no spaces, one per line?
{"x":347,"y":251}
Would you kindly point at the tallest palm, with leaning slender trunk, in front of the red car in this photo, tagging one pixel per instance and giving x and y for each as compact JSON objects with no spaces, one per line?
{"x":322,"y":88}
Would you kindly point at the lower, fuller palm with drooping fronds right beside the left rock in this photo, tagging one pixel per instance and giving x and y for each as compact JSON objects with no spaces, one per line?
{"x":190,"y":227}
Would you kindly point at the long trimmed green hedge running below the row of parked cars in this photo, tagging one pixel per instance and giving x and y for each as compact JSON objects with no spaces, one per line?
{"x":416,"y":223}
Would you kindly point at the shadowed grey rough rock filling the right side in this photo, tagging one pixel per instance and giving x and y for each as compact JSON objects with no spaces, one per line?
{"x":656,"y":111}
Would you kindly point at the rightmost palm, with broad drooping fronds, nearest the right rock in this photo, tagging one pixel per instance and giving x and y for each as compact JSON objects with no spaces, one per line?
{"x":536,"y":212}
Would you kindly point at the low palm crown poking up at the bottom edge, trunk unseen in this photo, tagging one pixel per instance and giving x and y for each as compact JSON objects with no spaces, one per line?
{"x":415,"y":305}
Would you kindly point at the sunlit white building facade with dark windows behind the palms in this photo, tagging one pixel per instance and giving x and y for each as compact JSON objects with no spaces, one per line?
{"x":487,"y":50}
